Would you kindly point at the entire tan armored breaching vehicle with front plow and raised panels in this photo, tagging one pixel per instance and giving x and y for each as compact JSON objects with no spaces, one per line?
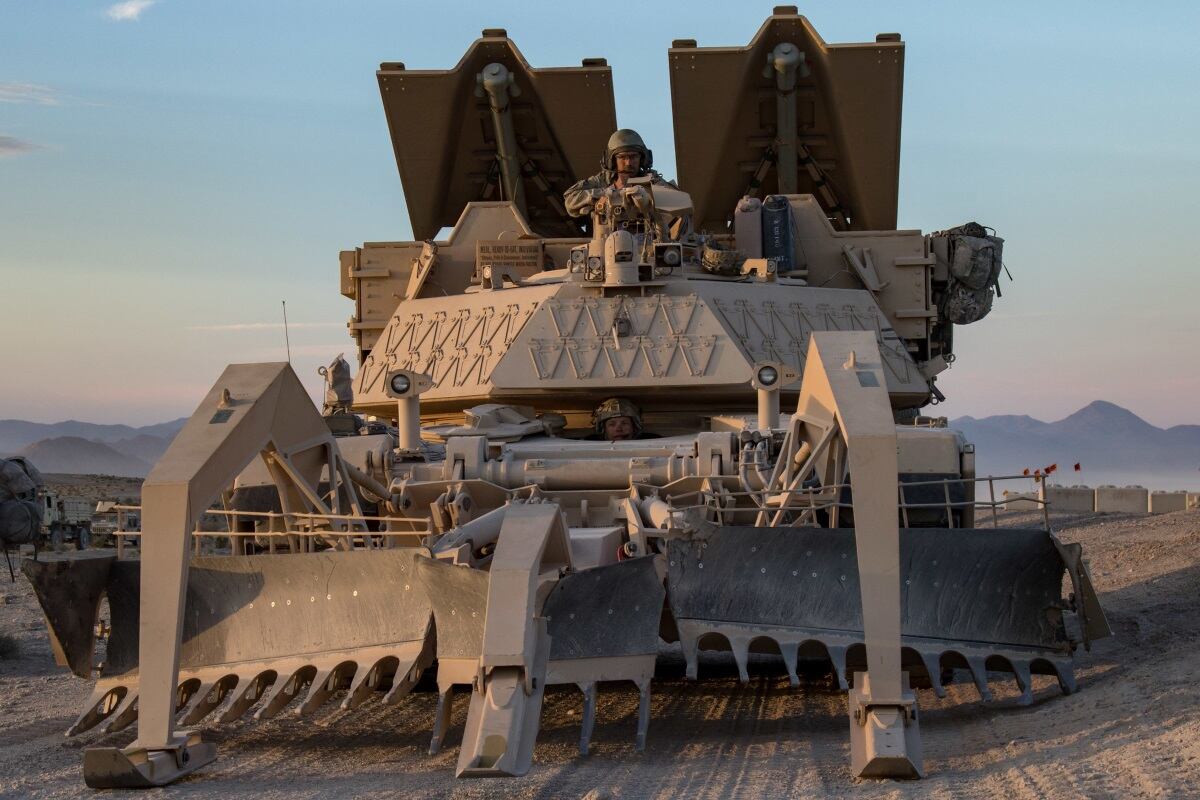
{"x":482,"y":528}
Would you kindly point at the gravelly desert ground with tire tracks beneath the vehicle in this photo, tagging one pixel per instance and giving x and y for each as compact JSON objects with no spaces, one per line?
{"x":1132,"y":731}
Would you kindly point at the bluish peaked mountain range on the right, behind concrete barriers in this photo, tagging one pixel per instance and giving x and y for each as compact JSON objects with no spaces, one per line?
{"x":1112,"y":444}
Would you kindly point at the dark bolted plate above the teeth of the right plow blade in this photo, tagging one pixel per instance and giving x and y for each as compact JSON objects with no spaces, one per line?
{"x":995,"y":587}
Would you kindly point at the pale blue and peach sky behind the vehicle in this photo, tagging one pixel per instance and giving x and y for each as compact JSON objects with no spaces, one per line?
{"x":171,"y":170}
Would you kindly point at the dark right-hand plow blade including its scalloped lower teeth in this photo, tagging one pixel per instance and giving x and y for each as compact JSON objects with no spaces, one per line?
{"x":971,"y":599}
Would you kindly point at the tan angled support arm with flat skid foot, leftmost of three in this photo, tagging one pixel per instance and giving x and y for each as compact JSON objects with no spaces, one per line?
{"x":251,"y":410}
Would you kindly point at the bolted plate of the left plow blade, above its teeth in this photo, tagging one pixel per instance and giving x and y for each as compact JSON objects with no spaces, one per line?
{"x":244,"y":609}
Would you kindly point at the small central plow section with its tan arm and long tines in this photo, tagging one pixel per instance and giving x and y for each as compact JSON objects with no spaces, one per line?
{"x":521,"y":625}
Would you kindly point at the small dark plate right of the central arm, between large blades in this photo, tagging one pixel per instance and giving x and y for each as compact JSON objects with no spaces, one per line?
{"x":607,"y":611}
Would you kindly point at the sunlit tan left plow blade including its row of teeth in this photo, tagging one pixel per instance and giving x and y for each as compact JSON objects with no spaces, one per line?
{"x":261,"y":633}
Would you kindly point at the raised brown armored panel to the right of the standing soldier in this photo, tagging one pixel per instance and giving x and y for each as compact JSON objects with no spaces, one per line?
{"x":848,"y":117}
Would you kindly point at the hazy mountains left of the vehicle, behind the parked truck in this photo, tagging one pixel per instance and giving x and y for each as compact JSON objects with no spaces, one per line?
{"x":77,"y":448}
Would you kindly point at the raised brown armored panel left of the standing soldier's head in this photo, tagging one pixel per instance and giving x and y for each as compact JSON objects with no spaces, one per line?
{"x":446,"y":148}
